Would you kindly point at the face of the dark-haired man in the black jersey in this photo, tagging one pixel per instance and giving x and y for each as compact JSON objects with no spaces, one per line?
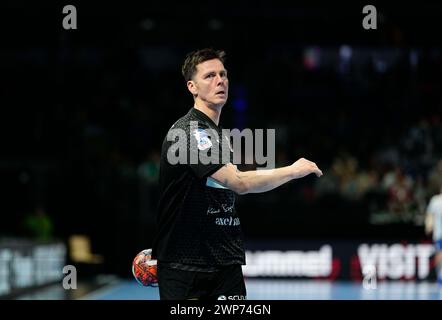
{"x":210,"y":85}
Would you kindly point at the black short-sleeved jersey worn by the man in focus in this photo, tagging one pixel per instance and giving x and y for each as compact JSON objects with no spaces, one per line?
{"x":197,"y":223}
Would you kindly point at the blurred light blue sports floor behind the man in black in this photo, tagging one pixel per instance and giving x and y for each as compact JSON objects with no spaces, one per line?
{"x":258,"y":289}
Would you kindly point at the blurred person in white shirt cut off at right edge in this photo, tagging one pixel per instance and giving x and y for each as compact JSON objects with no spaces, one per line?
{"x":433,"y":224}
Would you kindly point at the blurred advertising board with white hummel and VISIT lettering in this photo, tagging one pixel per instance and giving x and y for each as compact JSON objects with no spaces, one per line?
{"x":343,"y":260}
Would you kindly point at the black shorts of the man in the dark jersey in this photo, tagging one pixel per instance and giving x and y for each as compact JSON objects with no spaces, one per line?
{"x":226,"y":284}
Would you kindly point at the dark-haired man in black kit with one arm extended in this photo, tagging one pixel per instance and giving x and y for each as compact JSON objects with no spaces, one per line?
{"x":199,"y":244}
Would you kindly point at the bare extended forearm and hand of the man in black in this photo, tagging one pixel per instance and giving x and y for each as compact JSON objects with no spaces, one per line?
{"x":258,"y":181}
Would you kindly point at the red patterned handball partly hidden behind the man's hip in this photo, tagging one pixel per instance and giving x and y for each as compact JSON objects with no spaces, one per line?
{"x":144,"y":268}
